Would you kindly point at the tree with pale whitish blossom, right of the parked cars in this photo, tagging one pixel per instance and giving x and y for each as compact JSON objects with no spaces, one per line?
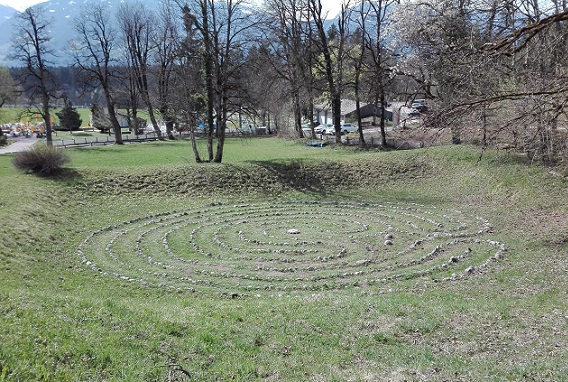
{"x":441,"y":59}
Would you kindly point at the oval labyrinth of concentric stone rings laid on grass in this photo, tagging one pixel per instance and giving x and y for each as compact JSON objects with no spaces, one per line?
{"x":265,"y":248}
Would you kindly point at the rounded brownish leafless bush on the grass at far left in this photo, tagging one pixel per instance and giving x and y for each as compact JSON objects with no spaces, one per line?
{"x":41,"y":159}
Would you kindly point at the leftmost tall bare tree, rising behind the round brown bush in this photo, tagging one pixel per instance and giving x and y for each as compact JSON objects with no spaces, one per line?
{"x":31,"y":47}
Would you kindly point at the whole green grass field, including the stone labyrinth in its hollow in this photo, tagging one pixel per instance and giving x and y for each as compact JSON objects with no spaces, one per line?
{"x":285,"y":263}
